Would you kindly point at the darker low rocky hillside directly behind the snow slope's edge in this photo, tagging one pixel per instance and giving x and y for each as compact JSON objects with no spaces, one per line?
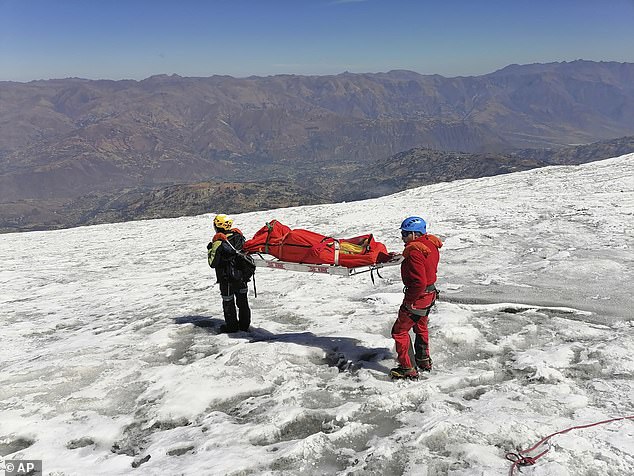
{"x":408,"y":169}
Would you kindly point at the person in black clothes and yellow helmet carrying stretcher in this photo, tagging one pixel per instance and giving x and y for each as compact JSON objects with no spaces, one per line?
{"x":222,"y":254}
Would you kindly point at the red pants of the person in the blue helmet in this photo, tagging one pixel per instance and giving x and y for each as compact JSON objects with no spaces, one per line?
{"x":400,"y":333}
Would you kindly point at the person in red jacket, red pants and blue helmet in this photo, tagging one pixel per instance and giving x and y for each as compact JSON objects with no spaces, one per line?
{"x":418,"y":272}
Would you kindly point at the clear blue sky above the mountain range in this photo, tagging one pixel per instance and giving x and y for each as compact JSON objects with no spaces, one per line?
{"x":135,"y":39}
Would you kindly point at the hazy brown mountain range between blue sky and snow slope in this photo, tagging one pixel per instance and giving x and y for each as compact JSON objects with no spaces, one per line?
{"x":76,"y":151}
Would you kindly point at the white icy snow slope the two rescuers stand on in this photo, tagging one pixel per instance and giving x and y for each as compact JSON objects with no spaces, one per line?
{"x":111,"y":351}
